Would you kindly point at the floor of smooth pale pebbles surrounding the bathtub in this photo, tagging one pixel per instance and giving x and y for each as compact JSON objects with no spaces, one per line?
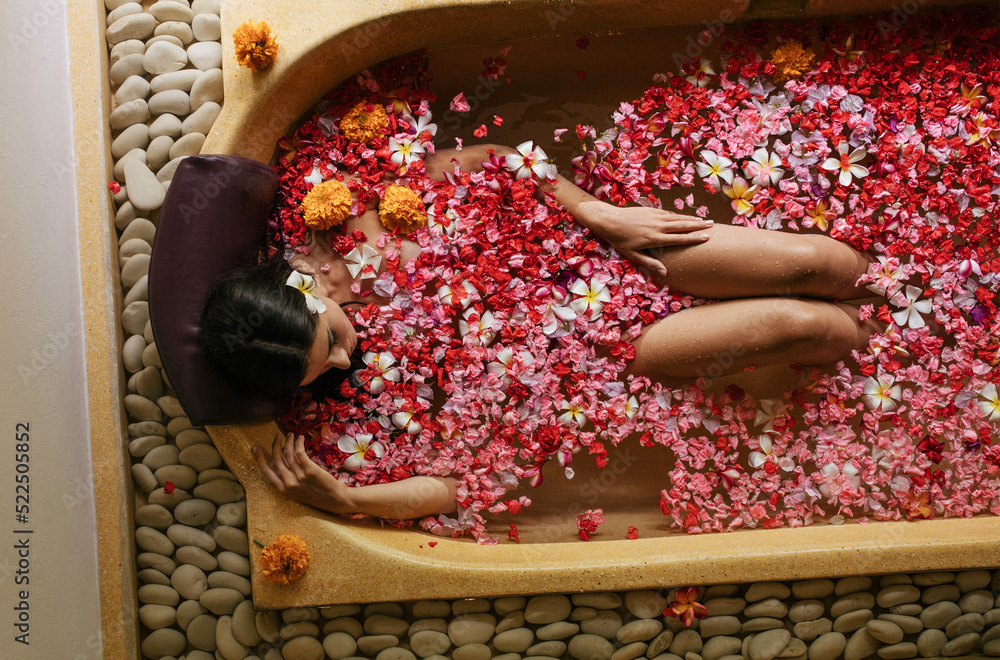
{"x":166,"y":76}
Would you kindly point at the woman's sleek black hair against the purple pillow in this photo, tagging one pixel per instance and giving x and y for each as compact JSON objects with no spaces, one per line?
{"x":258,"y":330}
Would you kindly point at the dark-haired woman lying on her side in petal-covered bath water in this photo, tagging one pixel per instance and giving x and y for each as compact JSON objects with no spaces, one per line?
{"x":778,"y":292}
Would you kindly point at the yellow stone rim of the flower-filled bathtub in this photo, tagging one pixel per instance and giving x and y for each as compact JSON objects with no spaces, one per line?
{"x":250,"y":124}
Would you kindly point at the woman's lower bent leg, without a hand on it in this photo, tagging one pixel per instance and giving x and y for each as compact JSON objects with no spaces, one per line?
{"x":726,"y":337}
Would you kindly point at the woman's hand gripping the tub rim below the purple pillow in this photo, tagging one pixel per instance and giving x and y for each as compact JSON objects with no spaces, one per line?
{"x":295,"y":475}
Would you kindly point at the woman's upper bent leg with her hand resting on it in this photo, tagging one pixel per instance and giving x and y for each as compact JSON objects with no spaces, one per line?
{"x":739,"y":262}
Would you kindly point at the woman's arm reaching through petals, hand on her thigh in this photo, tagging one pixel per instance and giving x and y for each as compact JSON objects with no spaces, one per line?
{"x":631,"y":230}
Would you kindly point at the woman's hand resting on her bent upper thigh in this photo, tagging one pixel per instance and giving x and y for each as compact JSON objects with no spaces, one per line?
{"x":632,"y":230}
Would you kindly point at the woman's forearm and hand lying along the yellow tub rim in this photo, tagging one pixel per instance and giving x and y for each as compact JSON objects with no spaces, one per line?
{"x":295,"y":475}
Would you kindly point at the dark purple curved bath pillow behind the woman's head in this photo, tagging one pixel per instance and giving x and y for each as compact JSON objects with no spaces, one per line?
{"x":213,"y":221}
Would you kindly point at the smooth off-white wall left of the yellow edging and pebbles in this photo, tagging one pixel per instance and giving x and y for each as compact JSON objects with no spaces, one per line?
{"x":42,"y":376}
